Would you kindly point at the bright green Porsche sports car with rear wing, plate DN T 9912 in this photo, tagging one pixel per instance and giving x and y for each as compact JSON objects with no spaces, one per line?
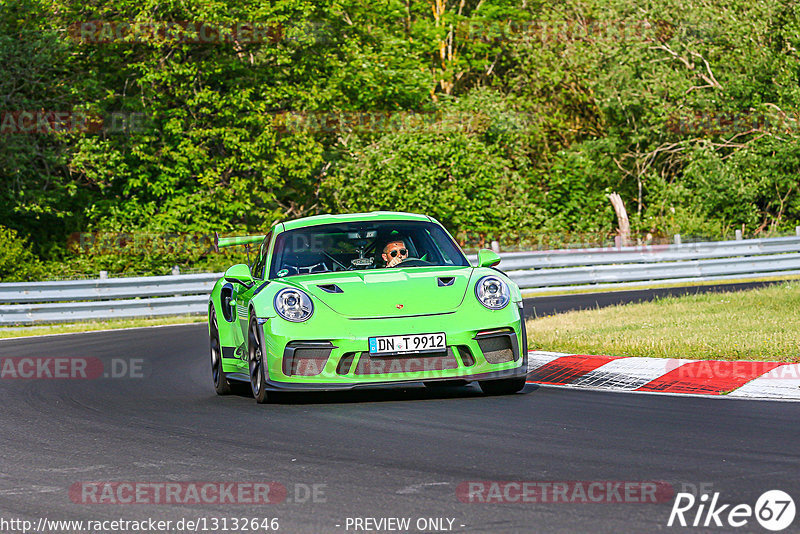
{"x":368,"y":299}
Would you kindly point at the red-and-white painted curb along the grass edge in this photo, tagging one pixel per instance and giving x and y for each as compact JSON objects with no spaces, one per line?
{"x":747,"y":379}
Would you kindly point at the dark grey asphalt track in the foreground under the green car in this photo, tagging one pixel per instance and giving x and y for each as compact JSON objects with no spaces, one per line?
{"x":389,"y":453}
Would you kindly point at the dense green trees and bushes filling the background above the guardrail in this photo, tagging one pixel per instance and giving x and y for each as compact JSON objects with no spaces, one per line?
{"x":527,"y":116}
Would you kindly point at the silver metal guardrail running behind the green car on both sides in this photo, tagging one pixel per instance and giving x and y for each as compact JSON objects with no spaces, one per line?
{"x":604,"y":268}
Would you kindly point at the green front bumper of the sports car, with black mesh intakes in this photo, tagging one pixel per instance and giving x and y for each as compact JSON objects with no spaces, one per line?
{"x":338,"y":352}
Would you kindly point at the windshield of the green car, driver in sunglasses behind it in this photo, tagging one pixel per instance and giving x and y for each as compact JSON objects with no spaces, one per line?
{"x":363,"y":245}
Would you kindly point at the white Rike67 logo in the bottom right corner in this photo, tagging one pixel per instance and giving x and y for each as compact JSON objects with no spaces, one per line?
{"x":774,"y":510}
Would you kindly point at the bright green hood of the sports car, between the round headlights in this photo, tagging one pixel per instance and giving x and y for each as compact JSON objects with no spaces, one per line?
{"x":394,"y":292}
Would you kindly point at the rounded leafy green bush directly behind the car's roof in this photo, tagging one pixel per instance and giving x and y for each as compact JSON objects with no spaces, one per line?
{"x":461,"y":164}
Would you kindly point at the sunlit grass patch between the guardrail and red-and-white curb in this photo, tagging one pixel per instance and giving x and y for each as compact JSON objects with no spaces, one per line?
{"x":760,"y":324}
